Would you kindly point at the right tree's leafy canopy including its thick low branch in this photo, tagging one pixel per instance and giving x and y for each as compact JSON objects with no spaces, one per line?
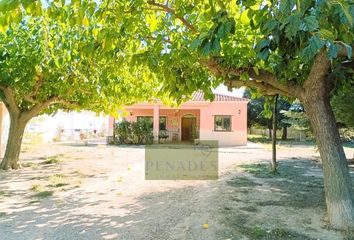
{"x":268,"y":45}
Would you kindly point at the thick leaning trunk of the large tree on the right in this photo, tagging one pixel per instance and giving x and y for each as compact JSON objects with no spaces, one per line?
{"x":337,"y":183}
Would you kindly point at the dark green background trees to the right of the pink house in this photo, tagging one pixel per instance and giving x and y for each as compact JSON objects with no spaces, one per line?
{"x":292,"y":114}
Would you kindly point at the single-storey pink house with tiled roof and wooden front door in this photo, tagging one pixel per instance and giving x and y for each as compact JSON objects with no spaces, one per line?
{"x":224,"y":119}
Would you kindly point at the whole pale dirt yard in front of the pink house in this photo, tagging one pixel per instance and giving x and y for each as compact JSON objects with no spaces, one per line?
{"x":99,"y":192}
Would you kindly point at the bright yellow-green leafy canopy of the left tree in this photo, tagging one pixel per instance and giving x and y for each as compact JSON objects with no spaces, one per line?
{"x":62,"y":56}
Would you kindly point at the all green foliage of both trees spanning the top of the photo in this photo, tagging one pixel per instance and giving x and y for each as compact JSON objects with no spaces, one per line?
{"x":171,"y":43}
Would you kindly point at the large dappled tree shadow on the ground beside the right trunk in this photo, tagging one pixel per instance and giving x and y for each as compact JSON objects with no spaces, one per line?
{"x":297,"y":187}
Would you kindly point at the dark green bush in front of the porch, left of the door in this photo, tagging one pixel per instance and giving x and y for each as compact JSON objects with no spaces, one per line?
{"x":139,"y":132}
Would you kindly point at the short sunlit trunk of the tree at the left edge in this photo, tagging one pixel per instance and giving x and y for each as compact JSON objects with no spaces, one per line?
{"x":13,"y":147}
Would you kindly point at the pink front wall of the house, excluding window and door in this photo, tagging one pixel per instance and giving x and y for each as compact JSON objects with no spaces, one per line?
{"x":204,"y":112}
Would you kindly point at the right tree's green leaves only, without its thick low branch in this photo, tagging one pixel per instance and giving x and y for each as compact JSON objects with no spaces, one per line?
{"x":281,"y":37}
